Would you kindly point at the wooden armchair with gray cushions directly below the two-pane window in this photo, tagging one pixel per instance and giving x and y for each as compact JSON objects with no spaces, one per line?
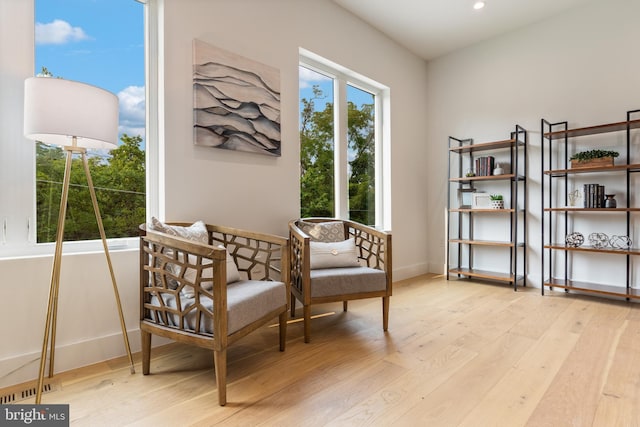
{"x":326,"y":267}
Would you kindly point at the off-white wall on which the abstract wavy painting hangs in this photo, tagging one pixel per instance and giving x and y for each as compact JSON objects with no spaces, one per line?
{"x":220,"y":186}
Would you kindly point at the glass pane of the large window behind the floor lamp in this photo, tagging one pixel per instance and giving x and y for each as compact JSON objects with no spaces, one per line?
{"x":77,"y":40}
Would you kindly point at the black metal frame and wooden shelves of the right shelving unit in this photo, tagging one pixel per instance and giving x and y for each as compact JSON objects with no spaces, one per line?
{"x":555,"y":141}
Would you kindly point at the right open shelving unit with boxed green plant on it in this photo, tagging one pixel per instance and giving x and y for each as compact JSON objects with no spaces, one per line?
{"x":559,"y":218}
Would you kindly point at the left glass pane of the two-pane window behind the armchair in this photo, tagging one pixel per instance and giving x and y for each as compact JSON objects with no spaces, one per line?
{"x":317,"y":196}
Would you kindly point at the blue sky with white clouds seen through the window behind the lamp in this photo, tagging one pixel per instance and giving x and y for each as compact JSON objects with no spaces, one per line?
{"x":99,"y":42}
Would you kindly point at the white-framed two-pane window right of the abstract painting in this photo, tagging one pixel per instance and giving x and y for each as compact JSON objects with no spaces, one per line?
{"x":341,"y":155}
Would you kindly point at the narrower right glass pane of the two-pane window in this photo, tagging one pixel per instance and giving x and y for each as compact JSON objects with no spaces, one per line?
{"x":361,"y":155}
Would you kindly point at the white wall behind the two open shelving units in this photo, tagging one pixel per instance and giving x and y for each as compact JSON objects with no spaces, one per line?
{"x":581,"y":66}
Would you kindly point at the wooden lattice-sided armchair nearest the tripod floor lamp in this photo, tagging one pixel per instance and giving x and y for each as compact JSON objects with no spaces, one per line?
{"x":200,"y":293}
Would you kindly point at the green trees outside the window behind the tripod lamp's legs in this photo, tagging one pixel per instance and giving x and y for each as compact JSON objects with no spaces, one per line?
{"x":119,"y":181}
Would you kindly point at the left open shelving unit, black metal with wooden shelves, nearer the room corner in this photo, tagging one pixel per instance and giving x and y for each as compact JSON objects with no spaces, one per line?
{"x":463,"y":219}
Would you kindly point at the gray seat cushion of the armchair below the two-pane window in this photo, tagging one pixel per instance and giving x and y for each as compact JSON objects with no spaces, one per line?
{"x":342,"y":281}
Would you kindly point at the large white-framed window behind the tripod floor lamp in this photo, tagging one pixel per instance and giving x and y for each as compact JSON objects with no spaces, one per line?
{"x":103,"y":43}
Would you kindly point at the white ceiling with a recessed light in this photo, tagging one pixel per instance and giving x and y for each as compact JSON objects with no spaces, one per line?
{"x":431,"y":28}
